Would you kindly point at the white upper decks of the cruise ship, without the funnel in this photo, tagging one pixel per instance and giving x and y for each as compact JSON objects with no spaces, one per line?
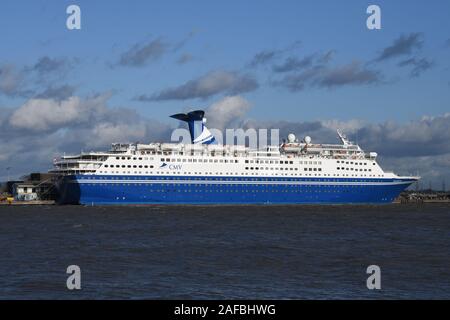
{"x":326,"y":159}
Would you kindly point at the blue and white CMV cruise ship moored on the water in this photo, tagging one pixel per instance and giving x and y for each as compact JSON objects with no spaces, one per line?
{"x":205,"y":172}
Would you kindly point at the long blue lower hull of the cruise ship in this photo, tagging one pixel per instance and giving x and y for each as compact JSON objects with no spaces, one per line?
{"x":122,"y":190}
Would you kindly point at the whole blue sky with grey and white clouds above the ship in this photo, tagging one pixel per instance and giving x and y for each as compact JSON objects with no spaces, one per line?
{"x":307,"y":67}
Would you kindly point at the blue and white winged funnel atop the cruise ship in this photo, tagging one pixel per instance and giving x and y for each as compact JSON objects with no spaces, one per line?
{"x":196,"y":121}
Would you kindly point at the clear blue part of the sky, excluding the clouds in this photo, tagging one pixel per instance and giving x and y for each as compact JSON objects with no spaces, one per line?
{"x":225,"y":35}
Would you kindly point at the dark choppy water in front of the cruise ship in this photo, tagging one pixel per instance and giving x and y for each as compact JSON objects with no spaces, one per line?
{"x":259,"y":252}
